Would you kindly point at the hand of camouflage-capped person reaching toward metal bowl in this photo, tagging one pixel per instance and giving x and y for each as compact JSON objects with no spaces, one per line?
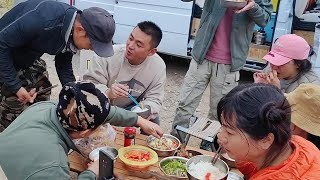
{"x":149,"y":127}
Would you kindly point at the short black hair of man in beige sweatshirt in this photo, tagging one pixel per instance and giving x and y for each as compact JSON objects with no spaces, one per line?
{"x":153,"y":30}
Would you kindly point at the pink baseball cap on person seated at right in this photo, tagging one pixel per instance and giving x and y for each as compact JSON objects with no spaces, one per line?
{"x":286,"y":48}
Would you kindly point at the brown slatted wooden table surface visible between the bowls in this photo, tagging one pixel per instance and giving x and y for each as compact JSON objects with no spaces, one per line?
{"x":78,"y":163}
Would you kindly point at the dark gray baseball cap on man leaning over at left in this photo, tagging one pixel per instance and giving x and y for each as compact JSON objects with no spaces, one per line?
{"x":100,"y":27}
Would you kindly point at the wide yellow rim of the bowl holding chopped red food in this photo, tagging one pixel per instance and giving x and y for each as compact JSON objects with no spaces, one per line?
{"x":122,"y":151}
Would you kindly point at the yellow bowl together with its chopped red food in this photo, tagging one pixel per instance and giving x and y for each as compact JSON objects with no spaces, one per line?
{"x":138,"y":157}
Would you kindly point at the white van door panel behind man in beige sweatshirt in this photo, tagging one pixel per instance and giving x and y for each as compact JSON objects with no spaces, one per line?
{"x":172,"y":16}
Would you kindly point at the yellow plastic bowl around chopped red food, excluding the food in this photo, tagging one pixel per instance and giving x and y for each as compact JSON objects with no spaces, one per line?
{"x":137,"y":165}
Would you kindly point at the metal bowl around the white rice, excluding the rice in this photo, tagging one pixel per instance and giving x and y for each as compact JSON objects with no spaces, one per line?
{"x":205,"y":158}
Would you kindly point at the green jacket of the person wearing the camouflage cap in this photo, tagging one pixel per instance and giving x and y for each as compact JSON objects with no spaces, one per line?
{"x":35,"y":146}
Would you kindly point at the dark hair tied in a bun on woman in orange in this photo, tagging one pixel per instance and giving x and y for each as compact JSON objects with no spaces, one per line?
{"x":258,"y":109}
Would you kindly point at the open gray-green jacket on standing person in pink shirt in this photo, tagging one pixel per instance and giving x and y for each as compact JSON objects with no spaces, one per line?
{"x":241,"y":34}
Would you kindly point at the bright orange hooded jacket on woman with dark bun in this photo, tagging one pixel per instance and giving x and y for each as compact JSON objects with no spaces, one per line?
{"x":304,"y":163}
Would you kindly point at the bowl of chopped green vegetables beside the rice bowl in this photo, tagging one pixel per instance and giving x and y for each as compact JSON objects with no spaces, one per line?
{"x":174,"y":167}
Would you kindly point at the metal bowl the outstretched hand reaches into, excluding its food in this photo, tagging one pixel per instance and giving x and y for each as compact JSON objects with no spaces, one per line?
{"x":160,"y":152}
